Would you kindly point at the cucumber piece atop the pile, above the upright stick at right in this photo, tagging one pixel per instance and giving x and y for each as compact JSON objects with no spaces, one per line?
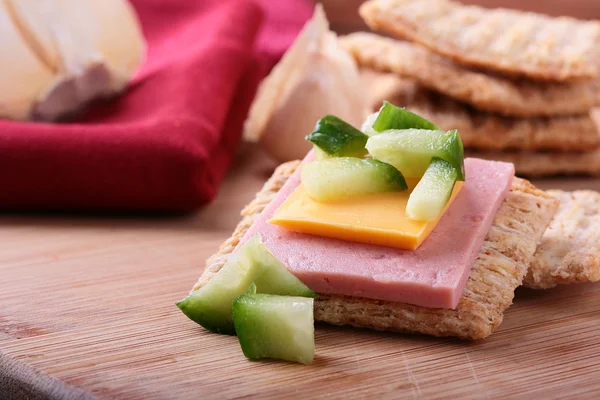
{"x":411,"y":150}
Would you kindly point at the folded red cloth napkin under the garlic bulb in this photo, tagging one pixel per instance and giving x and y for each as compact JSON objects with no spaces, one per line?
{"x":167,"y":142}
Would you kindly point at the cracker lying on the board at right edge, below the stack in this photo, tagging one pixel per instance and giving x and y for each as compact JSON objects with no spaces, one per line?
{"x":570,"y":248}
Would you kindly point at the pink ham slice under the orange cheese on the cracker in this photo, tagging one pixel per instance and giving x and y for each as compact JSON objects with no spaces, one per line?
{"x":432,"y":276}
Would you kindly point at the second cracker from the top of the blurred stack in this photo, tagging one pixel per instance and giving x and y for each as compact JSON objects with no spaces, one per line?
{"x":484,"y":91}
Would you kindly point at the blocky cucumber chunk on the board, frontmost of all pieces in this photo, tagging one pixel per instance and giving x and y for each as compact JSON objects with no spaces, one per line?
{"x":270,"y":326}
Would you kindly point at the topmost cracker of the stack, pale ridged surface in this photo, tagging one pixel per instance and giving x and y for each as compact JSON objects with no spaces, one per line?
{"x":508,"y":41}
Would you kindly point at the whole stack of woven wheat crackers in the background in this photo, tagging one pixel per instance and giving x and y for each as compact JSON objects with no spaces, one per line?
{"x":520,"y":87}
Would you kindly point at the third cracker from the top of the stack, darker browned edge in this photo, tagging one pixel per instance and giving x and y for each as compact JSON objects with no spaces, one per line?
{"x":481,"y":131}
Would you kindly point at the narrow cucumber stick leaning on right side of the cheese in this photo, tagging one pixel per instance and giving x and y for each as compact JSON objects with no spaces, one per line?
{"x":430,"y":196}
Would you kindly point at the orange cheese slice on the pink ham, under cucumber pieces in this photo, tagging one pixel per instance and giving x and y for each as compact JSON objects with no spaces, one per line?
{"x":375,"y":219}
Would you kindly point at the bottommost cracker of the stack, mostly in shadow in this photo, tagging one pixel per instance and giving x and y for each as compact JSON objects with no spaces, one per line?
{"x":532,"y":164}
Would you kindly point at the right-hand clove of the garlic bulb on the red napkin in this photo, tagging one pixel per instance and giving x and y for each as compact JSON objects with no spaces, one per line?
{"x":93,"y":46}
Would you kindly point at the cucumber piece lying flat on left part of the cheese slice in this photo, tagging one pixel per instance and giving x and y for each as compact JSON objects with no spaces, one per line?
{"x":343,"y":177}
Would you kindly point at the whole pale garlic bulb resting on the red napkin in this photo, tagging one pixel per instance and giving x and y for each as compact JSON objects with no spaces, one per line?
{"x":65,"y":53}
